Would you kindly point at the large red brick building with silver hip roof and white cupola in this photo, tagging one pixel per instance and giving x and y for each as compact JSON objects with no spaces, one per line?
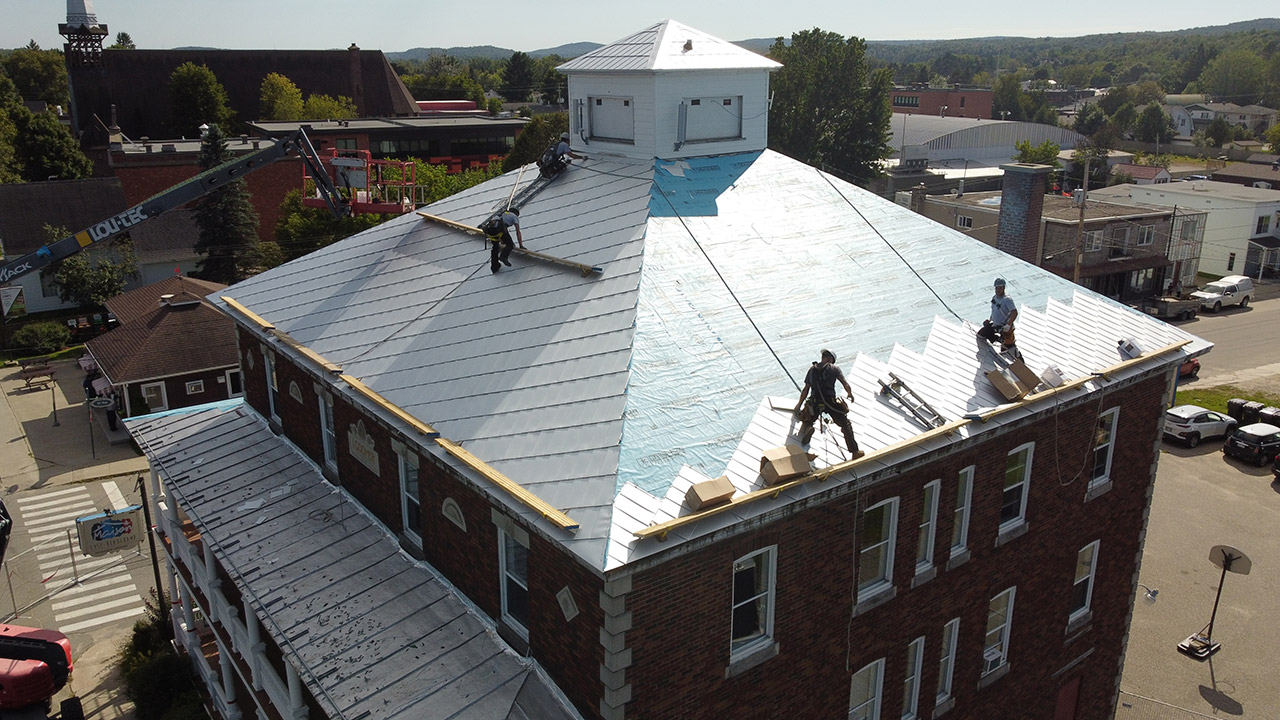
{"x":449,"y":484}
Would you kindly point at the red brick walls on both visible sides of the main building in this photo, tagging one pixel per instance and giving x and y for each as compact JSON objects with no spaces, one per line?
{"x":678,"y":641}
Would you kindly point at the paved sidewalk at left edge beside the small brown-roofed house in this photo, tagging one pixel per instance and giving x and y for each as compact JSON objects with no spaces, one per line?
{"x":38,"y":453}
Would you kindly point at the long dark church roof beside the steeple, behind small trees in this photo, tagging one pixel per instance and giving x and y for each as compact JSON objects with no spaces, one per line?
{"x":138,"y":84}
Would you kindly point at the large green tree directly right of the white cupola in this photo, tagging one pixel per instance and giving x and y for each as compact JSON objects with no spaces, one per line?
{"x":830,"y":108}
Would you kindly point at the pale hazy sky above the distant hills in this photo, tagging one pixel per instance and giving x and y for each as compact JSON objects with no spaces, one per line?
{"x":533,"y":25}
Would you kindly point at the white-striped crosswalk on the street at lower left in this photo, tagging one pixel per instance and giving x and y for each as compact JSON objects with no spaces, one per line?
{"x":108,"y":585}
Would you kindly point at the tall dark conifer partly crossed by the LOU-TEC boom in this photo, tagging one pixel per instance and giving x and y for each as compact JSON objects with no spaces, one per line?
{"x":227,"y":222}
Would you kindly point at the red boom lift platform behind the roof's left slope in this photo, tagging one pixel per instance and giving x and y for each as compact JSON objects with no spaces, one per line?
{"x":367,"y":185}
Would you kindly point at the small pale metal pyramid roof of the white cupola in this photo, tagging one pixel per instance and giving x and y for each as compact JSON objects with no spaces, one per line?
{"x":669,"y":47}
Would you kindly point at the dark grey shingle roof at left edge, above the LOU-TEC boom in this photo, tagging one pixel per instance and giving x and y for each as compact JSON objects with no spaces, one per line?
{"x":75,"y":206}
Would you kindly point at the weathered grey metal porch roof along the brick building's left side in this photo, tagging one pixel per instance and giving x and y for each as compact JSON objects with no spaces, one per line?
{"x":372,"y":632}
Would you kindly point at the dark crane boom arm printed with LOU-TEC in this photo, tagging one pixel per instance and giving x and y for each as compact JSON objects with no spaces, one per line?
{"x":179,"y":195}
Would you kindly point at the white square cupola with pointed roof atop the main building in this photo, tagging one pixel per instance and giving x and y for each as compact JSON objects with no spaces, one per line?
{"x":669,"y":92}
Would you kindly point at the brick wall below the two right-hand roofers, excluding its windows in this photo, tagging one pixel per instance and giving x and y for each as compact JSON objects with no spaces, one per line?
{"x":682,"y":608}
